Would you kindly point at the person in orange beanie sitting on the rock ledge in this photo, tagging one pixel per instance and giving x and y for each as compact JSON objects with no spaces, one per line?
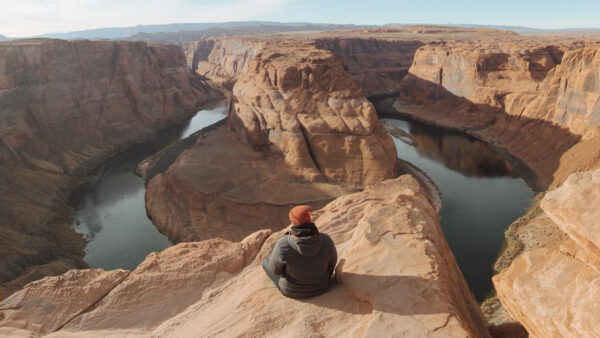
{"x":303,"y":261}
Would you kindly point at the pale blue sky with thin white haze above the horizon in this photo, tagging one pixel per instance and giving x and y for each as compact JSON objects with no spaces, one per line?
{"x":20,"y":18}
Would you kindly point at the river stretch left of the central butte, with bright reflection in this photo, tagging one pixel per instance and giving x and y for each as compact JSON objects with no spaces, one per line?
{"x":110,"y":210}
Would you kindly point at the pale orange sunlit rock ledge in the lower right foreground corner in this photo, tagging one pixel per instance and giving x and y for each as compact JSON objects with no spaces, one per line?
{"x":554,"y":292}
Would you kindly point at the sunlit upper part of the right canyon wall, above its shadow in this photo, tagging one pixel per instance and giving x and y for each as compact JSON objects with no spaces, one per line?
{"x":558,"y":84}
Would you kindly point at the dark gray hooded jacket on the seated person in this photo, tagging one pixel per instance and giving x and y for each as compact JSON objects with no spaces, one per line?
{"x":304,"y":263}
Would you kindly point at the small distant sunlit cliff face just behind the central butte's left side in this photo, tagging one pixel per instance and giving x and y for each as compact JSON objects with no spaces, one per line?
{"x":221,"y":60}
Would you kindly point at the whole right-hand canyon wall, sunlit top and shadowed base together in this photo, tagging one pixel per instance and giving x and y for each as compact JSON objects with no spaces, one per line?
{"x":534,"y":99}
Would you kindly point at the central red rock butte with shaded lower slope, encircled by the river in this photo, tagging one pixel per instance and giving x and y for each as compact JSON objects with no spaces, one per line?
{"x":305,"y":135}
